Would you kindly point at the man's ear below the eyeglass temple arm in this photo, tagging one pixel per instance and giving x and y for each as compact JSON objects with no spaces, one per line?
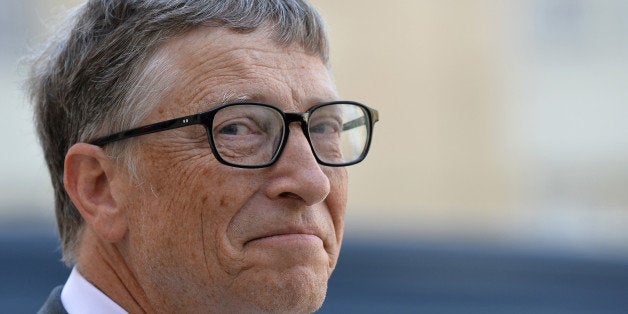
{"x":89,"y":179}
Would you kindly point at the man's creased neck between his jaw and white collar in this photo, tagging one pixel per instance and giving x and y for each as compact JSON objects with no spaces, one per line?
{"x":102,"y":264}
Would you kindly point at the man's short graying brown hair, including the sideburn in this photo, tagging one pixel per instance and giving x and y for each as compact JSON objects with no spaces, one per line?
{"x":103,"y":74}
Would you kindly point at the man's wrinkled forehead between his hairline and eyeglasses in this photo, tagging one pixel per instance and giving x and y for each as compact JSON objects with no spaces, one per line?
{"x":215,"y":66}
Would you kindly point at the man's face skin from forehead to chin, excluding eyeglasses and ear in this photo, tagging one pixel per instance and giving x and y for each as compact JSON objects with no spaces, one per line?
{"x":204,"y":236}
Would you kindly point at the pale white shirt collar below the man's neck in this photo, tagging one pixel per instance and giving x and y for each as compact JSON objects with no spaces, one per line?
{"x":80,"y":296}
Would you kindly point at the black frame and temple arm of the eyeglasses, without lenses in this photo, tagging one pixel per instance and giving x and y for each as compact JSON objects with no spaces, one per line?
{"x":206,"y":119}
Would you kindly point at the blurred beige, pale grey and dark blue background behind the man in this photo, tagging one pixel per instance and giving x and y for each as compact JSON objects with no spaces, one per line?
{"x":498,"y":176}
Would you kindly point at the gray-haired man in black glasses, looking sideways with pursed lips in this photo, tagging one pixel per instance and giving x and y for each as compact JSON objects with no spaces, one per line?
{"x":197,"y":152}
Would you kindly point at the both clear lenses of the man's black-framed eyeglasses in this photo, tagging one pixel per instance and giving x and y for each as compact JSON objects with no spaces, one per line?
{"x":251,"y":135}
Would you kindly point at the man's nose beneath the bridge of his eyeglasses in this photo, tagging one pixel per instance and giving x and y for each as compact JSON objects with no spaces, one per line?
{"x":297,"y":174}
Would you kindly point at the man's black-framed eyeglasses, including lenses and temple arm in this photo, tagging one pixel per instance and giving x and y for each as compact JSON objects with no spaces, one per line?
{"x":253,"y":135}
